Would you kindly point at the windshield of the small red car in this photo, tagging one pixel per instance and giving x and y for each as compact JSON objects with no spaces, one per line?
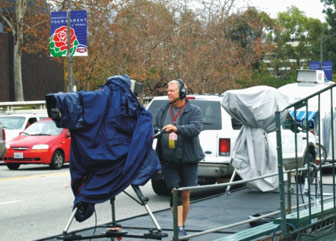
{"x":45,"y":128}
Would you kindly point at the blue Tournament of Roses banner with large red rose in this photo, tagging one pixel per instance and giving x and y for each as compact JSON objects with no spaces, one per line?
{"x":58,"y":40}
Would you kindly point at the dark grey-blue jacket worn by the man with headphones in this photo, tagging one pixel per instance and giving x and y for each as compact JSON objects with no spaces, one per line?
{"x":189,"y":127}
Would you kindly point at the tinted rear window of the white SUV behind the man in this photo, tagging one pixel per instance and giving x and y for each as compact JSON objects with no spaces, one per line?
{"x":211,"y":112}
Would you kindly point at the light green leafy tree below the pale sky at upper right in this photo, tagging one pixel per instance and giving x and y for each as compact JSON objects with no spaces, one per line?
{"x":296,"y":40}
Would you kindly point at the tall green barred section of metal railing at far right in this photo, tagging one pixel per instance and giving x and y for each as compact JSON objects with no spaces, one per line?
{"x":317,"y":208}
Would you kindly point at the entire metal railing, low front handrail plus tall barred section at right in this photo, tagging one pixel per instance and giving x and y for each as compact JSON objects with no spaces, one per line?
{"x":293,"y":220}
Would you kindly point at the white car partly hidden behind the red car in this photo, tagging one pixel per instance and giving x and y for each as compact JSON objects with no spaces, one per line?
{"x":14,"y":123}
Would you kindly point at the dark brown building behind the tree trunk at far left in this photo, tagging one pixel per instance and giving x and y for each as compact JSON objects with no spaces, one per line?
{"x":41,"y":74}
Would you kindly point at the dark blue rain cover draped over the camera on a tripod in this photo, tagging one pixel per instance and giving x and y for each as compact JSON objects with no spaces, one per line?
{"x":111,"y":140}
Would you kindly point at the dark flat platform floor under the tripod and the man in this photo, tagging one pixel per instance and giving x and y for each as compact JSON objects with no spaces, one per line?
{"x":204,"y":214}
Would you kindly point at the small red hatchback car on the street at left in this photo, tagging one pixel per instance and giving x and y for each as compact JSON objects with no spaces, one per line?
{"x":40,"y":143}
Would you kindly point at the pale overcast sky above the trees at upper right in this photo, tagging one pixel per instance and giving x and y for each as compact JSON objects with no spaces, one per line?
{"x":312,"y":8}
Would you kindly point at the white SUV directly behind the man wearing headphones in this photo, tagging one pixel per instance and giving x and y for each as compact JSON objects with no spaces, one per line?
{"x":216,"y":139}
